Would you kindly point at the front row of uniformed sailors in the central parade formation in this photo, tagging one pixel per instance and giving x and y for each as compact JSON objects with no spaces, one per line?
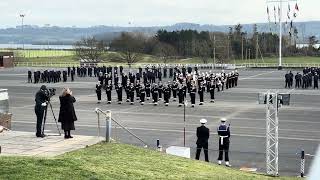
{"x":158,"y":91}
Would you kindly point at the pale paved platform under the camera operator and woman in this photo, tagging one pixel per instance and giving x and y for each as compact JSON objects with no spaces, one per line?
{"x":18,"y":143}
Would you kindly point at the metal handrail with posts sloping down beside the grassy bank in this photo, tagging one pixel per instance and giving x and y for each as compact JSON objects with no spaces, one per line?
{"x":109,"y":119}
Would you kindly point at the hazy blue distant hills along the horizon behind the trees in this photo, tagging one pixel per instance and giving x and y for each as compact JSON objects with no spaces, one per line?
{"x":68,"y":35}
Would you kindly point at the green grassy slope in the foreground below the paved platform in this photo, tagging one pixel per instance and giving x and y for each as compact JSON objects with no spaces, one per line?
{"x":118,"y":161}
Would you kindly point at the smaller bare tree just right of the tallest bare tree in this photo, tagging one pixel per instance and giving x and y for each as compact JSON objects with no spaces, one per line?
{"x":164,"y":51}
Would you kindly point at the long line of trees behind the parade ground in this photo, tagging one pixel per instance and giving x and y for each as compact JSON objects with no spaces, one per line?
{"x":216,"y":47}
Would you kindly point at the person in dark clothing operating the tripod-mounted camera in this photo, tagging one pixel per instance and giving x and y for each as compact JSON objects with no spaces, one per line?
{"x":41,"y":104}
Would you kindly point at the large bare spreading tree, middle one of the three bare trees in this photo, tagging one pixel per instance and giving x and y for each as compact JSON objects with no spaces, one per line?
{"x":129,"y":46}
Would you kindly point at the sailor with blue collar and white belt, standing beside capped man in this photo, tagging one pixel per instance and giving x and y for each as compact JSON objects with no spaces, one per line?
{"x":224,"y":142}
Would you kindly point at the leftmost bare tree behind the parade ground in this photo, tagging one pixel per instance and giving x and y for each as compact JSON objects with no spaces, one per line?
{"x":89,"y":49}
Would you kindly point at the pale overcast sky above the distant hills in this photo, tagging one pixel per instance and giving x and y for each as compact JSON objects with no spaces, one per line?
{"x":84,"y":13}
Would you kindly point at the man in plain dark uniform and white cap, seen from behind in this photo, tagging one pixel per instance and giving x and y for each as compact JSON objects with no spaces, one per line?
{"x":202,"y":141}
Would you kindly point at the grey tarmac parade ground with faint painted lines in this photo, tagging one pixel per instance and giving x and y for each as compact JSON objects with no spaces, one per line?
{"x":299,"y":123}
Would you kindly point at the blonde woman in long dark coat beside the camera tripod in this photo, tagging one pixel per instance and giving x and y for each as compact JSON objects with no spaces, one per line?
{"x":67,"y":114}
